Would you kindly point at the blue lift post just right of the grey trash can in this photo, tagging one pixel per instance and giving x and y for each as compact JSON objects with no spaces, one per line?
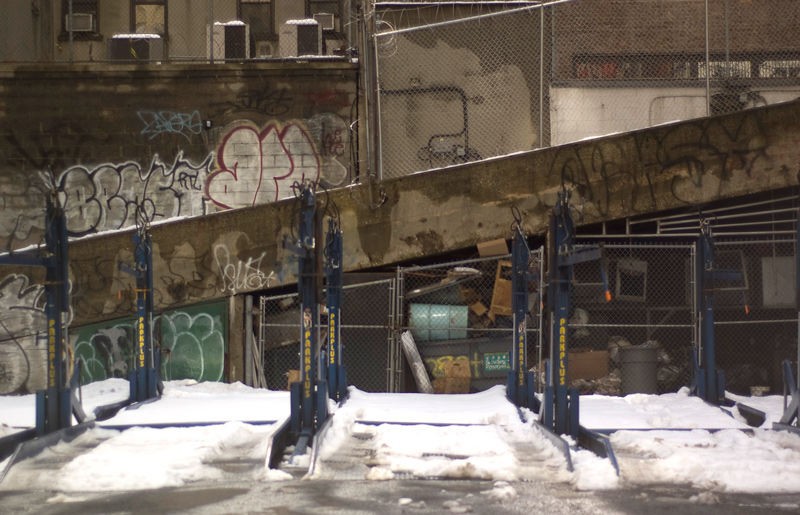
{"x":709,"y":383}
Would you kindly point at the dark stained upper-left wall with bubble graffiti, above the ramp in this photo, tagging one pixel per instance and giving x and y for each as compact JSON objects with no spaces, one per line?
{"x":115,"y":137}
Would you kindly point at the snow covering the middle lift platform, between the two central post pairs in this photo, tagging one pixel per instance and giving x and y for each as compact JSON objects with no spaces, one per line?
{"x":476,"y":435}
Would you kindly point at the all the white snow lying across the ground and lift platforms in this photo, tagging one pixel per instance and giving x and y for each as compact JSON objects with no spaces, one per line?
{"x":476,"y":435}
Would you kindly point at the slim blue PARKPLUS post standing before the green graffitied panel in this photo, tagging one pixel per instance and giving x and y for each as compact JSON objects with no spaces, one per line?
{"x":145,"y":378}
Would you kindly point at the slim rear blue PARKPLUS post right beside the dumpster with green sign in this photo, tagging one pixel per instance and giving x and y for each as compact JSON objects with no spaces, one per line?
{"x":521,"y":383}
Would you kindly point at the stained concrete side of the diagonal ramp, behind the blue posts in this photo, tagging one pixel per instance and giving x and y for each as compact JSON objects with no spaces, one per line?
{"x":239,"y":251}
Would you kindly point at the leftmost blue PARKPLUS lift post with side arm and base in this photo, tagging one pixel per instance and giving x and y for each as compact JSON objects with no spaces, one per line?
{"x":55,"y":405}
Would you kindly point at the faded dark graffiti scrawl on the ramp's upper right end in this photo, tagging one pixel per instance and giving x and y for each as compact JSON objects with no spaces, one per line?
{"x":689,"y":163}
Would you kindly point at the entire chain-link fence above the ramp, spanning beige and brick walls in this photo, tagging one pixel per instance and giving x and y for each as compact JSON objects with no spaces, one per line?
{"x":493,"y":83}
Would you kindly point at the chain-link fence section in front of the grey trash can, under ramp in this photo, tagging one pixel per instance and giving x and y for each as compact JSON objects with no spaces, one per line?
{"x":640,"y":341}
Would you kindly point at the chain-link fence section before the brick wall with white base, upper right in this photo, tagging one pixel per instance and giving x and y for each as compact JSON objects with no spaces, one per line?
{"x":621,"y":66}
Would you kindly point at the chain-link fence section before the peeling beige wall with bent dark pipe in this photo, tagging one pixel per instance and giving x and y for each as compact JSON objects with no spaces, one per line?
{"x":458,"y":91}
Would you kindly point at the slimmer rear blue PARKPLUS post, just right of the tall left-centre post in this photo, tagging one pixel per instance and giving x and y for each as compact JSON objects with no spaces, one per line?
{"x":336,"y":373}
